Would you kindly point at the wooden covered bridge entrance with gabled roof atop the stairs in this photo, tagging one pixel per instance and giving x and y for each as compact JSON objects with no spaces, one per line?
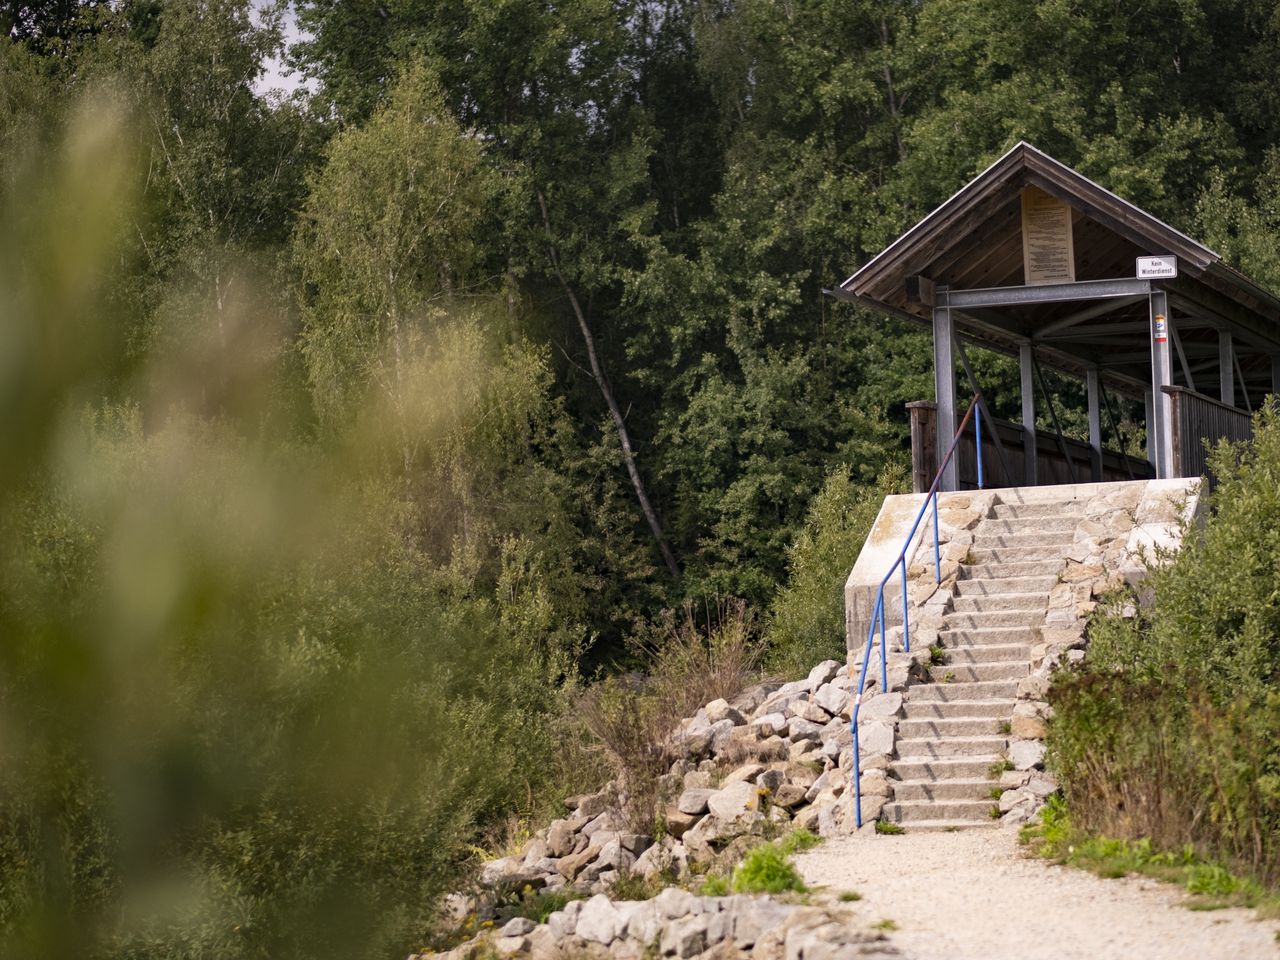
{"x":1035,"y":260}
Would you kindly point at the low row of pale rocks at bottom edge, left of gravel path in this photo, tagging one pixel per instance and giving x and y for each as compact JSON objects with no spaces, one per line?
{"x":679,"y":925}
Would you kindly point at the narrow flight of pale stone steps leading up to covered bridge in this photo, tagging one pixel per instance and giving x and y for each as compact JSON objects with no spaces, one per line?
{"x":957,"y":728}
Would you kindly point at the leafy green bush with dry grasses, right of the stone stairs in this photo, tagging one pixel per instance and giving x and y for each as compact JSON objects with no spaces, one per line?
{"x":1172,"y":729}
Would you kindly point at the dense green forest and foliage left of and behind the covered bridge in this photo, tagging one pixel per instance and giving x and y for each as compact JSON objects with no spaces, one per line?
{"x":350,"y":435}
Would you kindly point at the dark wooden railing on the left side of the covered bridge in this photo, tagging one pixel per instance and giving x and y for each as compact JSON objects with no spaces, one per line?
{"x":1052,"y":467}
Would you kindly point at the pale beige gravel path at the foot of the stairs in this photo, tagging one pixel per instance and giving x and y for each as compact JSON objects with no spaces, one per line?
{"x":975,"y":897}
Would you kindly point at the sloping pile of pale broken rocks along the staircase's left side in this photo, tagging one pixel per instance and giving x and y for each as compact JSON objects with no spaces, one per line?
{"x":778,"y":757}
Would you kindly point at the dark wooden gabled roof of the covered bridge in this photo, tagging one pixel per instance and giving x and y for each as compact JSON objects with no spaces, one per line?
{"x":975,"y":241}
